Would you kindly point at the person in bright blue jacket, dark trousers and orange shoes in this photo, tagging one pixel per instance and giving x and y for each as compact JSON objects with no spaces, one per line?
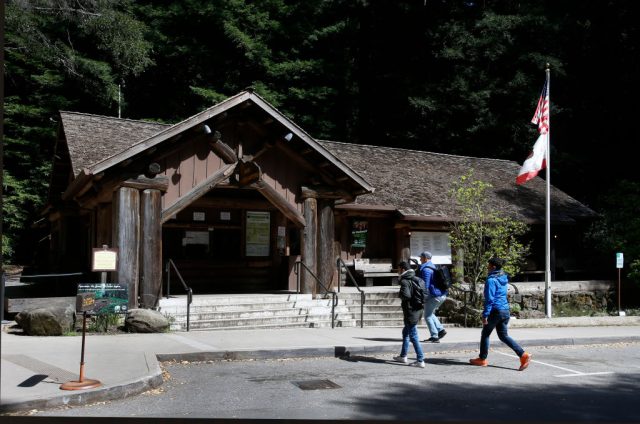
{"x":496,"y":315}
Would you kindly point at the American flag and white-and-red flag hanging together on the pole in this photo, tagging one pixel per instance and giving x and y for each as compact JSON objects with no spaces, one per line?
{"x":537,"y":158}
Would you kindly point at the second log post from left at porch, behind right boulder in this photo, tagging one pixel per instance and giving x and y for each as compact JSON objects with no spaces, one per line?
{"x":150,"y":248}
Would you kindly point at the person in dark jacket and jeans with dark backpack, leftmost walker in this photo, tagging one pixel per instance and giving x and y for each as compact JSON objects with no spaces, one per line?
{"x":412,"y":298}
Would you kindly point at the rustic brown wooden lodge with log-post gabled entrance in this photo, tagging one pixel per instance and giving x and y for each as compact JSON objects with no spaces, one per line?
{"x":237,"y":194}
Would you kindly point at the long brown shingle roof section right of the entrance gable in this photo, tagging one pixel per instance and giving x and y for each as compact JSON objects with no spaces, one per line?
{"x":418,"y":183}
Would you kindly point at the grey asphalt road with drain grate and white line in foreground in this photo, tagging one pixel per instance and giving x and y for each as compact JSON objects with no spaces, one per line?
{"x":564,"y":383}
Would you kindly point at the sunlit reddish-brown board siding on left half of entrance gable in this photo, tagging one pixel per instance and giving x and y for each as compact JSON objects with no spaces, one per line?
{"x":187,"y":168}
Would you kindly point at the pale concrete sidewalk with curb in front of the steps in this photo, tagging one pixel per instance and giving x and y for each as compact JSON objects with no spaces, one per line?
{"x":33,"y":368}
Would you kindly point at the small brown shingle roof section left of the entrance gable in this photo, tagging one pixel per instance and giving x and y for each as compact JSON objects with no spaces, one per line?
{"x":93,"y":138}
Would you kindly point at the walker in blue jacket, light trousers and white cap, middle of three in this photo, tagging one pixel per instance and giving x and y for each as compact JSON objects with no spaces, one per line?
{"x":434,"y":296}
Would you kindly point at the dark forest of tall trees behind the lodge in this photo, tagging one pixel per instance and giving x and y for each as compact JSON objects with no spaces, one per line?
{"x":449,"y":76}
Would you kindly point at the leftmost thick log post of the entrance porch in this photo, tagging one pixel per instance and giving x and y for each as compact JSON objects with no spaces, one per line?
{"x":126,"y":237}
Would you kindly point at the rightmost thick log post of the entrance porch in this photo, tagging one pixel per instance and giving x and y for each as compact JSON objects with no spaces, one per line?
{"x":325,"y":245}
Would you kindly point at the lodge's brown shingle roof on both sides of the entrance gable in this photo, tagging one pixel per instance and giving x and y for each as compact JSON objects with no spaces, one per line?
{"x":413,"y":182}
